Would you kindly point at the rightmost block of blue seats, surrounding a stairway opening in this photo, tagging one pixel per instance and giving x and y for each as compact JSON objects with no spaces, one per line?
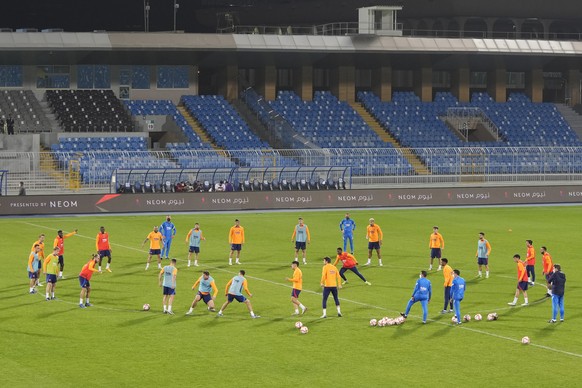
{"x":520,"y":122}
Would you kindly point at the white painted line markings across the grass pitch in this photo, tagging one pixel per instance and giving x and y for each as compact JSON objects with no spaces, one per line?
{"x":354,"y":302}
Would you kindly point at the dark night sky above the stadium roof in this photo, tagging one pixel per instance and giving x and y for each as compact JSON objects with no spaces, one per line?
{"x":201,"y":15}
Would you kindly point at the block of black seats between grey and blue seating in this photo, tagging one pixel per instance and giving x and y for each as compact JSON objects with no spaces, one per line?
{"x":89,"y":111}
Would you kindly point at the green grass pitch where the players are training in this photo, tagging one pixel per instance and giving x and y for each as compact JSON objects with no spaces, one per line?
{"x":114,"y":343}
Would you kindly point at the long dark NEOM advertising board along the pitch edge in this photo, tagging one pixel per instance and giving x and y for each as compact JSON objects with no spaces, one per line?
{"x":268,"y":200}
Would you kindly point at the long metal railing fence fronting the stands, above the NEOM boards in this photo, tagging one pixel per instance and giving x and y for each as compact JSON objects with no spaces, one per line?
{"x":41,"y":173}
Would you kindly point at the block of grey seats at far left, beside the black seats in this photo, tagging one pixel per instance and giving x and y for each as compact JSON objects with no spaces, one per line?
{"x":25,"y":110}
